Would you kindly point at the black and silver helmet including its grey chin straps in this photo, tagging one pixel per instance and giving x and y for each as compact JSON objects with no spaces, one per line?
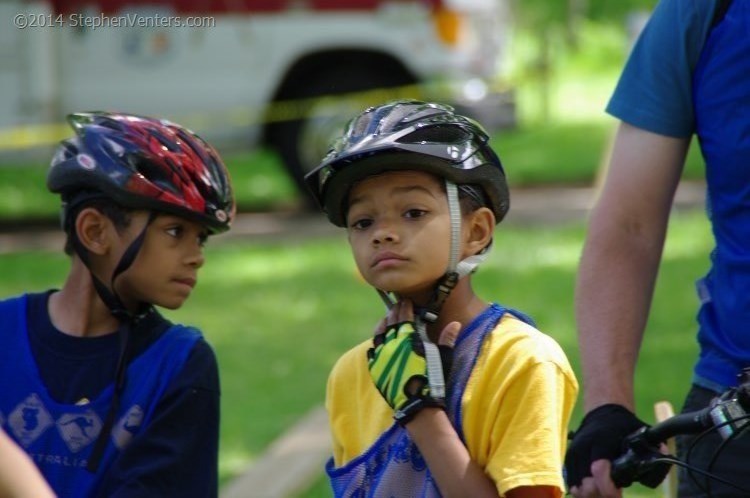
{"x":429,"y":137}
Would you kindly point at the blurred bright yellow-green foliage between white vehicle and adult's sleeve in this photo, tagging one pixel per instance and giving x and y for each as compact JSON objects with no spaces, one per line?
{"x":564,"y":57}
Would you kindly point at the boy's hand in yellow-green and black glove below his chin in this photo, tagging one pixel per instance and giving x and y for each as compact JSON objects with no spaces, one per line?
{"x":398,"y":366}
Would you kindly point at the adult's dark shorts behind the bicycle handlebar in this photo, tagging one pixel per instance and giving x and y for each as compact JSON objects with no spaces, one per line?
{"x":731,"y":463}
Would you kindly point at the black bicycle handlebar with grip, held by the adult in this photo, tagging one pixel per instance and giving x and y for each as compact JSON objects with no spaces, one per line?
{"x":644,"y":463}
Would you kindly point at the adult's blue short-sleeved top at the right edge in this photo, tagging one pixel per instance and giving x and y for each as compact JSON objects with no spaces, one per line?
{"x":687,"y":75}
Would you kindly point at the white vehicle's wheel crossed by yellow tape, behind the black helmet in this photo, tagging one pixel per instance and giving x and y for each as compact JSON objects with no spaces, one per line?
{"x":327,"y":102}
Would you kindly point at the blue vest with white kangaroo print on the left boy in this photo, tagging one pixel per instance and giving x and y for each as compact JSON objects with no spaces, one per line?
{"x":59,"y":436}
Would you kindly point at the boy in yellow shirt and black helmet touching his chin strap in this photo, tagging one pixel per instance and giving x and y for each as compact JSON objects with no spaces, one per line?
{"x":454,"y":396}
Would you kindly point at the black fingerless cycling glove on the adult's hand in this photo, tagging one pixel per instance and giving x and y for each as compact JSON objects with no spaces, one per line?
{"x":600,"y":436}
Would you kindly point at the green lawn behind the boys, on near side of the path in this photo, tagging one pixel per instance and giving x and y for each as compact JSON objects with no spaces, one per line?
{"x":278,"y":316}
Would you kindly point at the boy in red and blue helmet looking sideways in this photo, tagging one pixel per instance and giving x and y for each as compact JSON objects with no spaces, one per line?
{"x":107,"y":396}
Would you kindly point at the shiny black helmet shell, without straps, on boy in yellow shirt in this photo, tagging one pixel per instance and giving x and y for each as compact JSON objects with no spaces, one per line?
{"x":409,"y":134}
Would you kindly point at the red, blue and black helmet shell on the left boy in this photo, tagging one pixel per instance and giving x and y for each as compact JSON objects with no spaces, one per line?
{"x":143,"y":163}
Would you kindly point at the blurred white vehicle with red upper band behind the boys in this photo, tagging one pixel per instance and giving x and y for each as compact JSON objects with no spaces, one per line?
{"x":249,"y":72}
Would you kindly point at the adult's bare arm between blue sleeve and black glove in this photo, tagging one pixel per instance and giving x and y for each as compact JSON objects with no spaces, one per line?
{"x":620,"y":260}
